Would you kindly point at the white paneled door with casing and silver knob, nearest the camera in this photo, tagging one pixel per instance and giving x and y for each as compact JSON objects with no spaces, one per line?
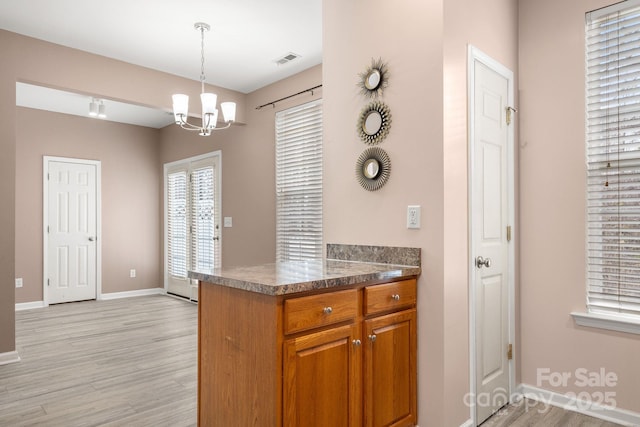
{"x":491,"y":245}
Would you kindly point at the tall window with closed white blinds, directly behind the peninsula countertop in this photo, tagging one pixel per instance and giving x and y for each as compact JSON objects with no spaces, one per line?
{"x":299,"y":182}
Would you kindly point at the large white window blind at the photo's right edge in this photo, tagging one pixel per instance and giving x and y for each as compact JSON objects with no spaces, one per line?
{"x":613,"y":159}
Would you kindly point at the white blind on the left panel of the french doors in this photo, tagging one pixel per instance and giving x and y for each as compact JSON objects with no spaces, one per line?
{"x":177,"y":224}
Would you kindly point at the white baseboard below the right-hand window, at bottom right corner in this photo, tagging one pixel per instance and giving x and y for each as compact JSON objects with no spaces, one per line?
{"x":607,"y":413}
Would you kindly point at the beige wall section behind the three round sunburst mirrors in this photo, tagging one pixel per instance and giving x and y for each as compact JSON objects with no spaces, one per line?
{"x":409,"y":39}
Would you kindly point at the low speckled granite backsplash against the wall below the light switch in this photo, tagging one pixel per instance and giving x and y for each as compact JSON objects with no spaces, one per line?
{"x":377,"y":254}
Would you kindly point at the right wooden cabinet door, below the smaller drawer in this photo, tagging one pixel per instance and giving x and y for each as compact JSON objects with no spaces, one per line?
{"x":390,"y":353}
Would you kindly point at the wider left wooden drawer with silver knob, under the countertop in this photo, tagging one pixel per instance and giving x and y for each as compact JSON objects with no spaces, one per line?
{"x":319,"y":310}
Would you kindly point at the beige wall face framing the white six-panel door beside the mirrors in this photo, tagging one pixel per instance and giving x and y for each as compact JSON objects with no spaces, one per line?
{"x":492,"y":27}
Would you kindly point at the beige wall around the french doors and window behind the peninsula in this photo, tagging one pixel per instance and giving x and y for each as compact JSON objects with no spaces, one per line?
{"x":248,"y":171}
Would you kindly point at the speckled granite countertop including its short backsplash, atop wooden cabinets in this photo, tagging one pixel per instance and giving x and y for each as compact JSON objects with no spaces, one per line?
{"x":353,"y":266}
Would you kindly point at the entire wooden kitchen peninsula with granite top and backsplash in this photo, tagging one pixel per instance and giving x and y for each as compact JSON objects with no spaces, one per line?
{"x":318,"y":342}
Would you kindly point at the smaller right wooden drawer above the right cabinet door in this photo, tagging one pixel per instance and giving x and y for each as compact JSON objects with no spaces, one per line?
{"x":390,"y":296}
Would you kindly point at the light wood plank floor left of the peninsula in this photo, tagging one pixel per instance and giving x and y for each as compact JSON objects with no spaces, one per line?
{"x":126,"y":362}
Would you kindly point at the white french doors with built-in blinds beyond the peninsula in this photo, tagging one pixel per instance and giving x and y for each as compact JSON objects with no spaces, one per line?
{"x":192,"y":221}
